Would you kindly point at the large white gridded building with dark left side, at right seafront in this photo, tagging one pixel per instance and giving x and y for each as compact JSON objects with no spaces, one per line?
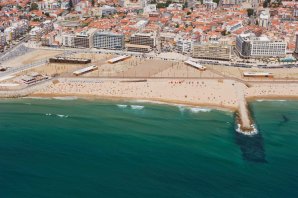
{"x":251,"y":46}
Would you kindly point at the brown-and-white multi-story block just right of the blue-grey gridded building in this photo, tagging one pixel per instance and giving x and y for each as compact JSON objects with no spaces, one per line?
{"x":148,"y":39}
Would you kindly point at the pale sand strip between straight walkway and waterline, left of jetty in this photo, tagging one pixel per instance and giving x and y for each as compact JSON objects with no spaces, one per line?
{"x":194,"y":92}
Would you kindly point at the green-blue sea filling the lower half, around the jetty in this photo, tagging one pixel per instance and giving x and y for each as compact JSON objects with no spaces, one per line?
{"x":76,"y":148}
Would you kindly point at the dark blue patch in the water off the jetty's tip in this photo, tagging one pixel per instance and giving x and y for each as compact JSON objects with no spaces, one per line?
{"x":252,"y":147}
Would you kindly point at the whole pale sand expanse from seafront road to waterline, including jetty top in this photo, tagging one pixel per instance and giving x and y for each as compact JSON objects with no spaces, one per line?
{"x":159,"y":80}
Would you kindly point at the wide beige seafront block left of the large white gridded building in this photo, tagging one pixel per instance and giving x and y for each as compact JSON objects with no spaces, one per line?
{"x":212,"y":51}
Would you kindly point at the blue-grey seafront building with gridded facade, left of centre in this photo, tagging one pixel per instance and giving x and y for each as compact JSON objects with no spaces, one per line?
{"x":108,"y":40}
